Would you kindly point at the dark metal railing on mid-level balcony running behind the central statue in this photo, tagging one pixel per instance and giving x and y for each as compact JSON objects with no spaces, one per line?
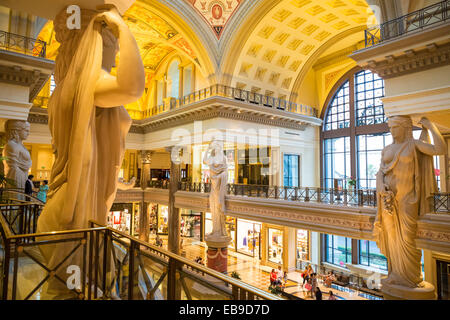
{"x":356,"y":197}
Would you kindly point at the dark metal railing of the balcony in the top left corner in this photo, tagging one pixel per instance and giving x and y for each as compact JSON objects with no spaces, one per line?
{"x":21,"y":44}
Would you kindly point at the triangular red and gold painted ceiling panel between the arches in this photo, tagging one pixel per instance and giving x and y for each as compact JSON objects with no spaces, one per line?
{"x":216,"y":12}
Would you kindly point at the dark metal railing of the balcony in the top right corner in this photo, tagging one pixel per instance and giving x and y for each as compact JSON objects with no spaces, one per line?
{"x":409,"y":23}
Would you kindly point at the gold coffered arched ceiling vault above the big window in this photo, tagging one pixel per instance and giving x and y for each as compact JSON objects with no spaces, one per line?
{"x":288,"y":36}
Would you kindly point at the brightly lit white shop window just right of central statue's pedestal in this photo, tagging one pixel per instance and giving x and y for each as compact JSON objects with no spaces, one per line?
{"x":249,"y":238}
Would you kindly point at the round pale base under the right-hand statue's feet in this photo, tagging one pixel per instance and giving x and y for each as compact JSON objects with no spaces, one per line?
{"x":396,"y":292}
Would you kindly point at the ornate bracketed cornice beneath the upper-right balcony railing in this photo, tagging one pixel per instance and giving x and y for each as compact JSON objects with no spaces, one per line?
{"x":412,"y":61}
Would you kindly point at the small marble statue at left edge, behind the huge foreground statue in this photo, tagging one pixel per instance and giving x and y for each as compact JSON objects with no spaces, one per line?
{"x":18,"y":160}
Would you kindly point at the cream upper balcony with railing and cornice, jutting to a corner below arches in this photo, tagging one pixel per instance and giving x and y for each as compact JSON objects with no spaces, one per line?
{"x":216,"y":100}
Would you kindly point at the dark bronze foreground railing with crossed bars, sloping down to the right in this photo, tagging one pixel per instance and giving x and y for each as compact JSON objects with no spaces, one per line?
{"x":113,"y":266}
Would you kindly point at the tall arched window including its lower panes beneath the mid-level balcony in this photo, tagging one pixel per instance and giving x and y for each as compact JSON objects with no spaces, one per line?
{"x":353,"y":134}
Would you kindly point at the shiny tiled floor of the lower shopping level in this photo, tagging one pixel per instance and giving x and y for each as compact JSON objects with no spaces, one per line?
{"x":253,"y":273}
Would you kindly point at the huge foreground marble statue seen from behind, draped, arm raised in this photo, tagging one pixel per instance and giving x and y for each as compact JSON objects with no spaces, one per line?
{"x":88,"y":126}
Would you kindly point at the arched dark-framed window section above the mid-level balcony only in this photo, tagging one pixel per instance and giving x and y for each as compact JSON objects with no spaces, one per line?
{"x":354,"y":131}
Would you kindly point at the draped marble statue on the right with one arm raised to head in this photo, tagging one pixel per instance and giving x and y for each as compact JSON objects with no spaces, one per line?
{"x":405,"y":183}
